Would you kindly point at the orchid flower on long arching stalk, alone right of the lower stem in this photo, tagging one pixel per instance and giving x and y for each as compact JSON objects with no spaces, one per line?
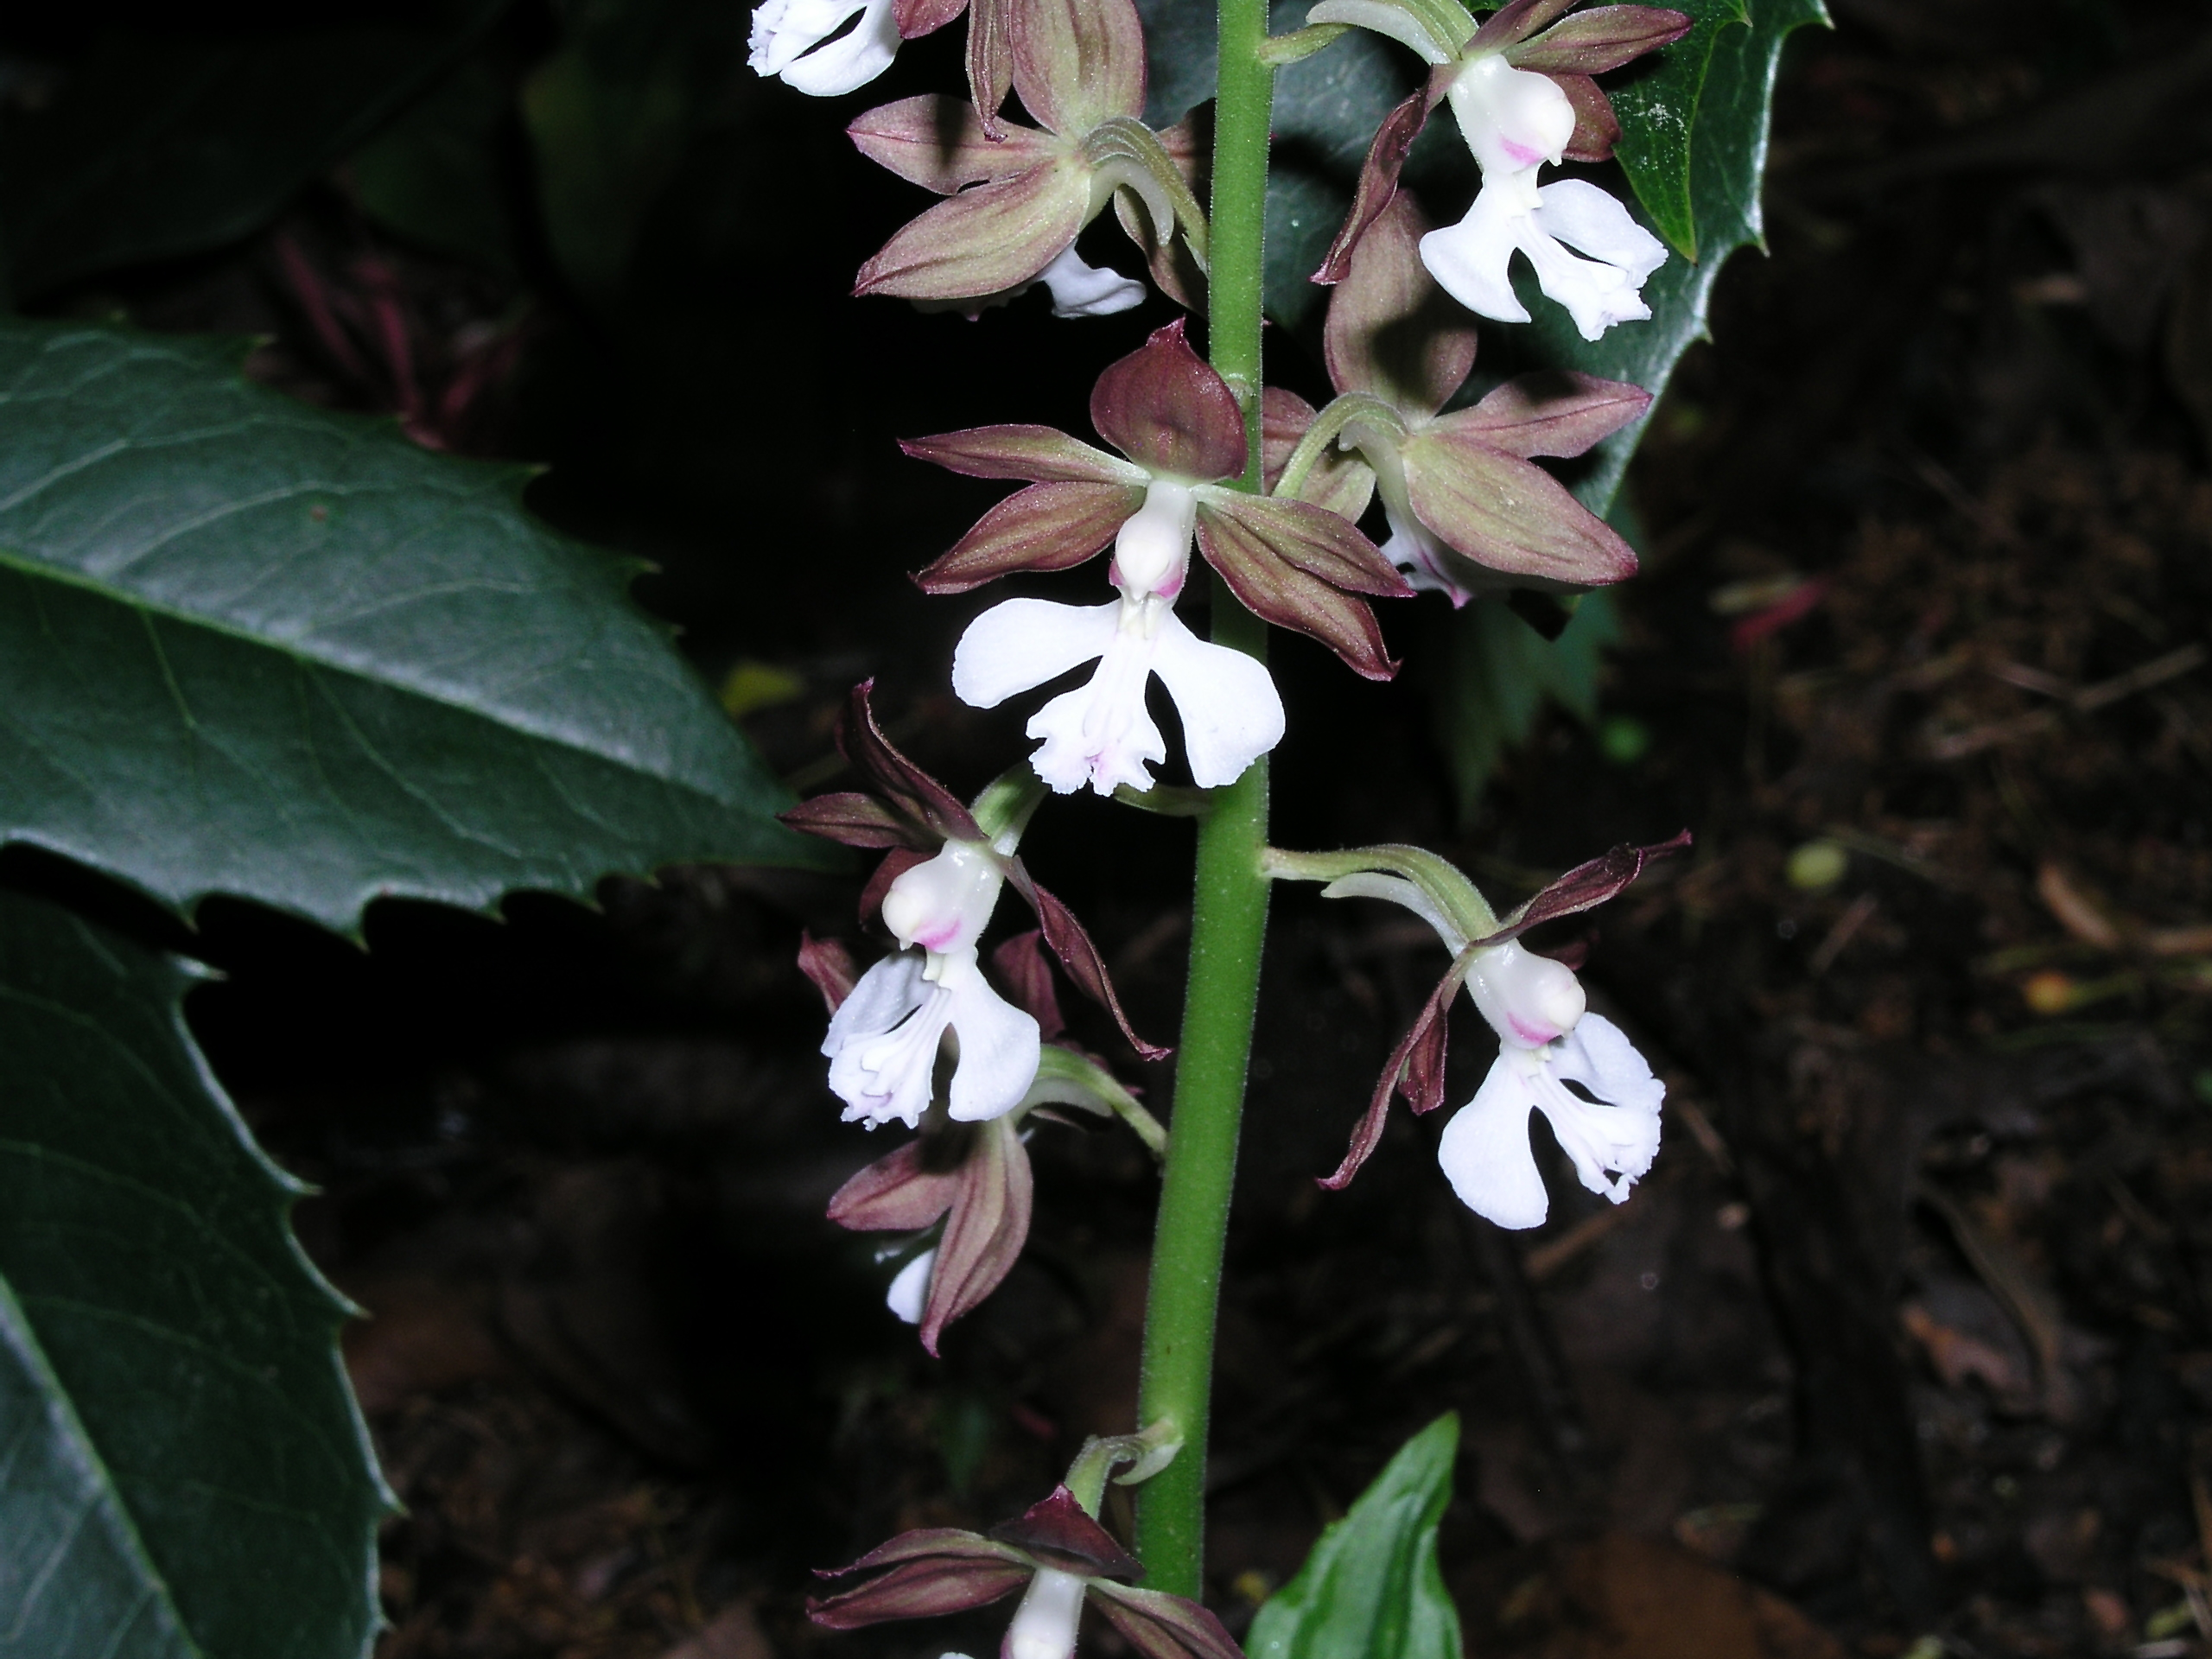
{"x":1545,"y":1034}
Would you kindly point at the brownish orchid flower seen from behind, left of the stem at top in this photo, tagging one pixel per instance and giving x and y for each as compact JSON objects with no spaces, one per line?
{"x":1019,"y":196}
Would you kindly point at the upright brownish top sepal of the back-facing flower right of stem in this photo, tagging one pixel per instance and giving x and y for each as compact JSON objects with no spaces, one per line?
{"x":1392,"y":331}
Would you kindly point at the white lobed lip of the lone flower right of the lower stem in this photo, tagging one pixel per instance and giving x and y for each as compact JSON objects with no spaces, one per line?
{"x":1485,"y":1147}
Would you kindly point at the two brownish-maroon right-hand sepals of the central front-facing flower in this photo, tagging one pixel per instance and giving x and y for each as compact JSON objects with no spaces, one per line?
{"x":1266,"y":565}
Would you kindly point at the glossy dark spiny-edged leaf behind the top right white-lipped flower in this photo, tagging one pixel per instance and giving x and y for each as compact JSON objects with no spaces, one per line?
{"x":1729,"y":156}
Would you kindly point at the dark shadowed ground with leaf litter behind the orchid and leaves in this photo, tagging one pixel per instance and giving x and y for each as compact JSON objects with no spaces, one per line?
{"x":1910,"y":1333}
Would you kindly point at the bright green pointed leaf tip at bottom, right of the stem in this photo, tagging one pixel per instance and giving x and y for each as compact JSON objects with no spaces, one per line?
{"x":1373,"y":1587}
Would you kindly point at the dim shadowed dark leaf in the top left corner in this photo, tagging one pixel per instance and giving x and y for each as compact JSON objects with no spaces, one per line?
{"x":174,"y":143}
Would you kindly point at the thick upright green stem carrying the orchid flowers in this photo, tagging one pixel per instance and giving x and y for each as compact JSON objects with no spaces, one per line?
{"x":1231,"y":908}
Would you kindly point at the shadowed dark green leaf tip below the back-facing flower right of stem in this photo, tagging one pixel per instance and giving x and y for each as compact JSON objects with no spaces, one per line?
{"x":1499,"y":674}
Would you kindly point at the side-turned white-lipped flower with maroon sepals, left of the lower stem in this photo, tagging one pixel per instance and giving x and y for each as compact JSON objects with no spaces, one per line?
{"x":937,"y":888}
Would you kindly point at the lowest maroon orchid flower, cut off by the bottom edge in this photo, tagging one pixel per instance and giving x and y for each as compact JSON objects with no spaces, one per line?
{"x":1058,"y":1556}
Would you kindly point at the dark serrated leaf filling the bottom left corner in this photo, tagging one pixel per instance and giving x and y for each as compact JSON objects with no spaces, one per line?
{"x":185,"y":1470}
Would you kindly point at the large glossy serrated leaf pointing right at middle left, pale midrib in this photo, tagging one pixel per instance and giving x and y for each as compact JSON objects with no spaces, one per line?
{"x":262,"y":649}
